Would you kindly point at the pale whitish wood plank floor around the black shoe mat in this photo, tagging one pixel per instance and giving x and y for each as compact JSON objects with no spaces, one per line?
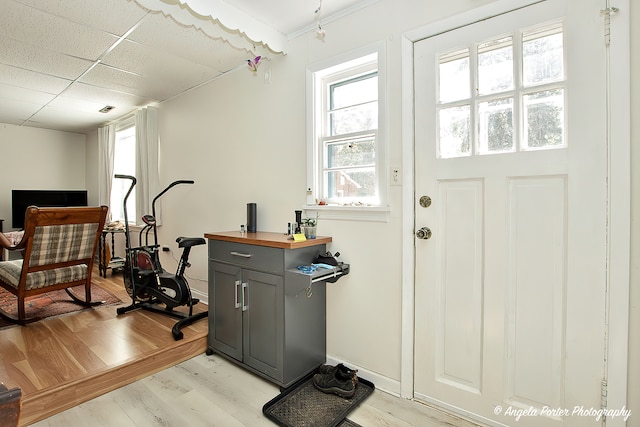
{"x":210,"y":391}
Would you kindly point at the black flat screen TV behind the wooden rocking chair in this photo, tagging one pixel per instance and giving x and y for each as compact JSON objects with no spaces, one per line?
{"x":22,"y":199}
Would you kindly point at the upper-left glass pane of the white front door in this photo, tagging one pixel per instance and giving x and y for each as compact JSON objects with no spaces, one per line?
{"x":454,"y":76}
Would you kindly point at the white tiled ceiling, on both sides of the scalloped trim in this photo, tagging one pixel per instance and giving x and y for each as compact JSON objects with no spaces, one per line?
{"x":62,"y":61}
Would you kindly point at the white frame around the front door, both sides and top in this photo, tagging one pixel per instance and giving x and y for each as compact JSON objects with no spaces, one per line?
{"x":618,"y":250}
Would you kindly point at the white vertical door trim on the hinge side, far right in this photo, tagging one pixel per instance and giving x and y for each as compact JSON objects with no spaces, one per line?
{"x":619,"y":250}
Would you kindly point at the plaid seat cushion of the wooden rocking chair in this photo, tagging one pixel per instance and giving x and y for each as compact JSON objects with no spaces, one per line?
{"x":10,"y":274}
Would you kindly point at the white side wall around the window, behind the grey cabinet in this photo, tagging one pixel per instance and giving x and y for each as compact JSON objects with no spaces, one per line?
{"x":243,"y":141}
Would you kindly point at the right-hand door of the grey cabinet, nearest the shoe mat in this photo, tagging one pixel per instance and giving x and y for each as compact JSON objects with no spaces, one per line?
{"x":263,"y":322}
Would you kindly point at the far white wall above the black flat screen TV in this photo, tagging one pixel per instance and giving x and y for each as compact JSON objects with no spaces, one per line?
{"x":39,"y":159}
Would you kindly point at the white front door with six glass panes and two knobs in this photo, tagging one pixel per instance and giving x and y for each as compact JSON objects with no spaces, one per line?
{"x":510,"y":146}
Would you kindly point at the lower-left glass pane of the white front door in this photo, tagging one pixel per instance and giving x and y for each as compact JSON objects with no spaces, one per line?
{"x":454,"y":137}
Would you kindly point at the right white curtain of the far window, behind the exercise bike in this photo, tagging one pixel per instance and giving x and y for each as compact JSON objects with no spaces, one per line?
{"x":147,"y":146}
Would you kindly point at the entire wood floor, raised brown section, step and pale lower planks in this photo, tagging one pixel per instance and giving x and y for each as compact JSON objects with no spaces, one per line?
{"x":98,"y":369}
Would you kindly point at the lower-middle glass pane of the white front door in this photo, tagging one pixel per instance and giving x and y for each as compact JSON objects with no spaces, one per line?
{"x":495,"y":126}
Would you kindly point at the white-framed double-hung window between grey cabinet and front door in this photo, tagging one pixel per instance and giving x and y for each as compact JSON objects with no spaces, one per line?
{"x":346,"y":144}
